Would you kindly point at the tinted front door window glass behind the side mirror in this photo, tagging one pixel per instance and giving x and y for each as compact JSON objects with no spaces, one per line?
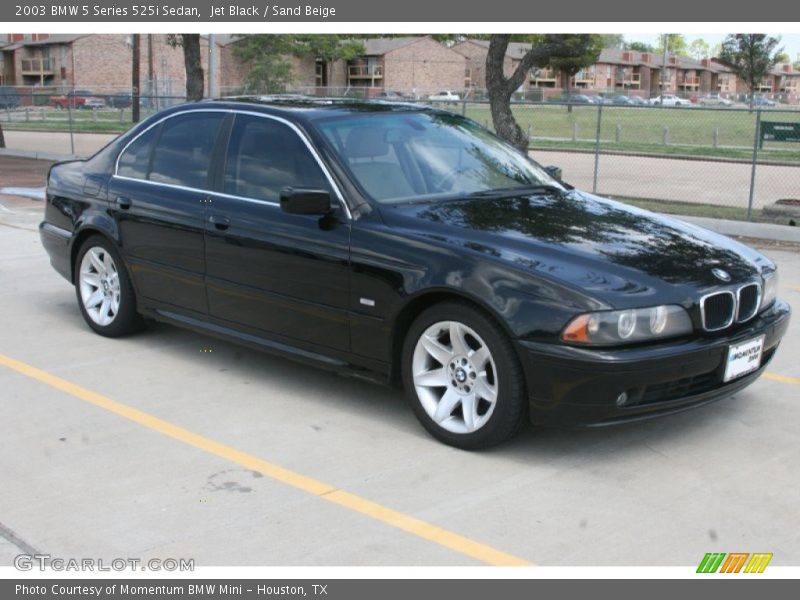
{"x":264,"y":156}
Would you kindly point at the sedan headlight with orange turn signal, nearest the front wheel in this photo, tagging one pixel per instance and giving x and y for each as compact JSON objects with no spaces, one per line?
{"x":628,"y":326}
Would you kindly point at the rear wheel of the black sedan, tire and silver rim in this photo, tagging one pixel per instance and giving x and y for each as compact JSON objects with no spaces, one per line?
{"x":105,"y":295}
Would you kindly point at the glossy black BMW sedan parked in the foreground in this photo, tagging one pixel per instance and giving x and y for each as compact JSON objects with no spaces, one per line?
{"x":410,"y":245}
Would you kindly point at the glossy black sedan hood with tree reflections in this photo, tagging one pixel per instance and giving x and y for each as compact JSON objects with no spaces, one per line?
{"x":590,"y":242}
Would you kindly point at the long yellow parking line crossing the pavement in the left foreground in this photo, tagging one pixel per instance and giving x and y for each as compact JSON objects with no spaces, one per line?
{"x":388,"y":516}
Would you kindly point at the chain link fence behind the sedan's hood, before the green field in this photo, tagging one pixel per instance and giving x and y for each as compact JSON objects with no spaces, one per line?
{"x":724,"y":161}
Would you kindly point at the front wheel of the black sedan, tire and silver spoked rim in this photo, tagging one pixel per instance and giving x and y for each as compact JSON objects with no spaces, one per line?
{"x":469,"y":394}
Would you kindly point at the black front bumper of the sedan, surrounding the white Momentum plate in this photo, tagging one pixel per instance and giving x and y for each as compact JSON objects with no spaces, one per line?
{"x":571,"y":386}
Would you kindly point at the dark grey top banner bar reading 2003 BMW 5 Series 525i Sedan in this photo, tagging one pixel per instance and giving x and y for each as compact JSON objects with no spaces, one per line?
{"x":363,"y":11}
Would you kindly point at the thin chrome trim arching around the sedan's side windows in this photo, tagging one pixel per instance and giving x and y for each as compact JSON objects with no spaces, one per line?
{"x":233,"y":111}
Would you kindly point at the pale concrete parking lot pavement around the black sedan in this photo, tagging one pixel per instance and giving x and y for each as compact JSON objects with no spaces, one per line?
{"x":169,"y":444}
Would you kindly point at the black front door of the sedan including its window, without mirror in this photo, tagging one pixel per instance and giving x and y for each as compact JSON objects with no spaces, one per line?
{"x":286,"y":275}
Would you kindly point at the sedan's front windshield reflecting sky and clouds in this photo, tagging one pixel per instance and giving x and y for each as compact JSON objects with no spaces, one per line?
{"x":412,"y":156}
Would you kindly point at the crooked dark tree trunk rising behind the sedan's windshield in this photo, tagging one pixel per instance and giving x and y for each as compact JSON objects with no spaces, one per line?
{"x":500,"y":90}
